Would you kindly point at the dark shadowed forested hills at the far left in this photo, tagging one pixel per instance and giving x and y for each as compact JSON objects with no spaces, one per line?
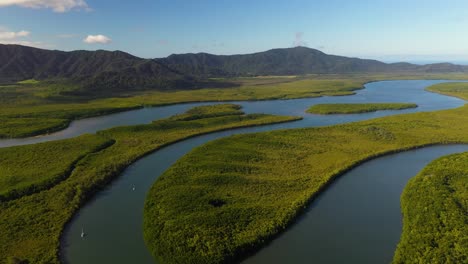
{"x":93,"y":69}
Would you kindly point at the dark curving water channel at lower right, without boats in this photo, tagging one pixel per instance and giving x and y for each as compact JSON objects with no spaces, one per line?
{"x":358,"y":218}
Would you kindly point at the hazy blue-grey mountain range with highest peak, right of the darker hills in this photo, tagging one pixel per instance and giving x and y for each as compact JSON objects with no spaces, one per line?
{"x":290,"y":61}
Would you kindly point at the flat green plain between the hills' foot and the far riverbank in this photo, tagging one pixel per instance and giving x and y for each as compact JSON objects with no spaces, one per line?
{"x":51,"y":105}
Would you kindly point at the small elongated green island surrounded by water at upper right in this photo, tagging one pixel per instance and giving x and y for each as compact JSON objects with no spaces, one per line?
{"x":328,"y":109}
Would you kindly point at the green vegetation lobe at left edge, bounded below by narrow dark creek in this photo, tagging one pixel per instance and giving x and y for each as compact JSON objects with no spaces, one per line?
{"x":33,"y":168}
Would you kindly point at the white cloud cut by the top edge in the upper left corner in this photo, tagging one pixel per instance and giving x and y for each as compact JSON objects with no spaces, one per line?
{"x":59,"y":6}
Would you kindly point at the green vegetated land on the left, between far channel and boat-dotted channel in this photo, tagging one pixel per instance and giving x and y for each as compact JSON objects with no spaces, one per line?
{"x":36,"y":208}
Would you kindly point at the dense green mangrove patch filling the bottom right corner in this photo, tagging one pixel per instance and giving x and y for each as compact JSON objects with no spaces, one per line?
{"x":435,"y":214}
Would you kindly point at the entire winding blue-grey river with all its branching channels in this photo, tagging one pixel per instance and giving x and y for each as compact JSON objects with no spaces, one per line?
{"x":337,"y":227}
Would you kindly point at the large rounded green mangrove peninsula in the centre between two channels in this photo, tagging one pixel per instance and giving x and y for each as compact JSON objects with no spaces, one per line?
{"x":226,"y":198}
